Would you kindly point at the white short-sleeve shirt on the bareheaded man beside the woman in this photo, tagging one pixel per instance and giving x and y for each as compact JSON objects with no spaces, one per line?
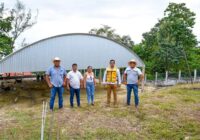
{"x":74,"y":79}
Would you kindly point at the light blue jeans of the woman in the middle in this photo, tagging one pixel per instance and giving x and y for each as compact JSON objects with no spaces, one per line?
{"x":90,"y":92}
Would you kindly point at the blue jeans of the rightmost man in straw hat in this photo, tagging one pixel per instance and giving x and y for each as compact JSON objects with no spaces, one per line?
{"x":133,"y":87}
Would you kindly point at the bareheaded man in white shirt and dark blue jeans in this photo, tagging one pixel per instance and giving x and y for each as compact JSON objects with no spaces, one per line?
{"x":75,"y":82}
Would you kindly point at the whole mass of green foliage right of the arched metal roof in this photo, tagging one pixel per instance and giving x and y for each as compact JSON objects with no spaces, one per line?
{"x":170,"y":44}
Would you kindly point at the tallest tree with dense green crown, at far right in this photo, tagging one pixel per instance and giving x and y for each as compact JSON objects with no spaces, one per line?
{"x":175,"y":35}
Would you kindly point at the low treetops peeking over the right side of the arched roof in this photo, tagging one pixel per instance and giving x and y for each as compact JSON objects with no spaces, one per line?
{"x":108,"y":32}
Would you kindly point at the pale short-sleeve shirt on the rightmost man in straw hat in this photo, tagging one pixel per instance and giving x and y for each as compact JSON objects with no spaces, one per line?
{"x":132,"y":75}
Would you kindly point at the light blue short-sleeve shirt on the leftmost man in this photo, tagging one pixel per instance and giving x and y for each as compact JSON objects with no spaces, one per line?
{"x":56,"y":75}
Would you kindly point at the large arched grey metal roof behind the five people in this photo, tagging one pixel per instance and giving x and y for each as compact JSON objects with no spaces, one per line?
{"x":83,"y":49}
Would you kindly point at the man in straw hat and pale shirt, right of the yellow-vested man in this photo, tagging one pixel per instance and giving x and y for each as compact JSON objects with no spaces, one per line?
{"x":132,"y":78}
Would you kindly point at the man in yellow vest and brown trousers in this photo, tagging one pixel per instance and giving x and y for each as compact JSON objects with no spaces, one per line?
{"x":112,"y":78}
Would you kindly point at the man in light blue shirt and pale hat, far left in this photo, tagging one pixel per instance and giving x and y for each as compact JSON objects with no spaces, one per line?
{"x":56,"y":80}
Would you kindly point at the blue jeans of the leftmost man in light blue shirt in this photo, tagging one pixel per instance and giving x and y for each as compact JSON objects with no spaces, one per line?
{"x":60,"y":91}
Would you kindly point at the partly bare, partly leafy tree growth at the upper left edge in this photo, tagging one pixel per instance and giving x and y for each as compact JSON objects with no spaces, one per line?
{"x":13,"y":23}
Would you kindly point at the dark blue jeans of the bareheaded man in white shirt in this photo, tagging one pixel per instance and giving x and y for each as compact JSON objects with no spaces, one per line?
{"x":72,"y":92}
